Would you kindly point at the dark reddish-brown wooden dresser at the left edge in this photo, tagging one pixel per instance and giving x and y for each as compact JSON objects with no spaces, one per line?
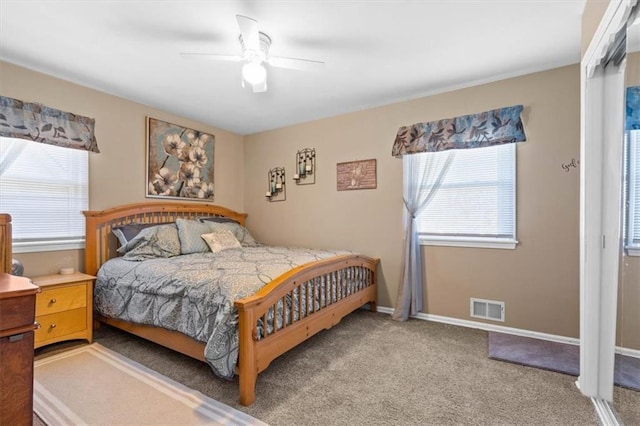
{"x":17,"y":313}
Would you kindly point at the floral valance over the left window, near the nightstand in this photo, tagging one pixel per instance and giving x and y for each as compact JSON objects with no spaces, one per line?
{"x":36,"y":122}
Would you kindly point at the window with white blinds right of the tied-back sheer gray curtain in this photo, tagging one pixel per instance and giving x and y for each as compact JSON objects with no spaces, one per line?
{"x":475,"y":205}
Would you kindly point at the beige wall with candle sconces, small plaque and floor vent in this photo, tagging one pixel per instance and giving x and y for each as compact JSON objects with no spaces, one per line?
{"x":538,"y":280}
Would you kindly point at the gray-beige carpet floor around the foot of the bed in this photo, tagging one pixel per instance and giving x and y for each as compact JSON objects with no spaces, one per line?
{"x":371,"y":370}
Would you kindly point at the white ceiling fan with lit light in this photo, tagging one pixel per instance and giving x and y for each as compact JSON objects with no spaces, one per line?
{"x":255,"y":53}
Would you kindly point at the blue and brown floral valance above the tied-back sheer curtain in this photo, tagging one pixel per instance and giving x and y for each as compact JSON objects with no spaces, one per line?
{"x":495,"y":127}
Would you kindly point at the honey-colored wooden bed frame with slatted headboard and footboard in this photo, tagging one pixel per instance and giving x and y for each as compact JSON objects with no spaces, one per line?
{"x":255,"y":352}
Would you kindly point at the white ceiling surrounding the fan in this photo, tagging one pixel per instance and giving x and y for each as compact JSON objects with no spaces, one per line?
{"x":376,"y":52}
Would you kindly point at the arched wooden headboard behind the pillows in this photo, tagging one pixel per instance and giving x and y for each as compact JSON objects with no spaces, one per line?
{"x":101,"y":245}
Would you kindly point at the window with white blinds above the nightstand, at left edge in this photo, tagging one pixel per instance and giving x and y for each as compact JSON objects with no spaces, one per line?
{"x":44,"y":189}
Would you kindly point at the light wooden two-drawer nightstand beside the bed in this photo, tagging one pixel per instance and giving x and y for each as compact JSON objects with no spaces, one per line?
{"x":64,"y":308}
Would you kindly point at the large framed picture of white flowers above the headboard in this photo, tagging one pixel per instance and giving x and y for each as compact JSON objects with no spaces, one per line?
{"x":179,"y":162}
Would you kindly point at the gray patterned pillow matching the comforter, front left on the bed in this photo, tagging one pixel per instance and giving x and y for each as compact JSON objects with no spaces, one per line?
{"x":153,"y":242}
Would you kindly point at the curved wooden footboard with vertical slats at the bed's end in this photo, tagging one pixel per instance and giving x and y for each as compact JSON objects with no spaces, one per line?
{"x":298,"y":305}
